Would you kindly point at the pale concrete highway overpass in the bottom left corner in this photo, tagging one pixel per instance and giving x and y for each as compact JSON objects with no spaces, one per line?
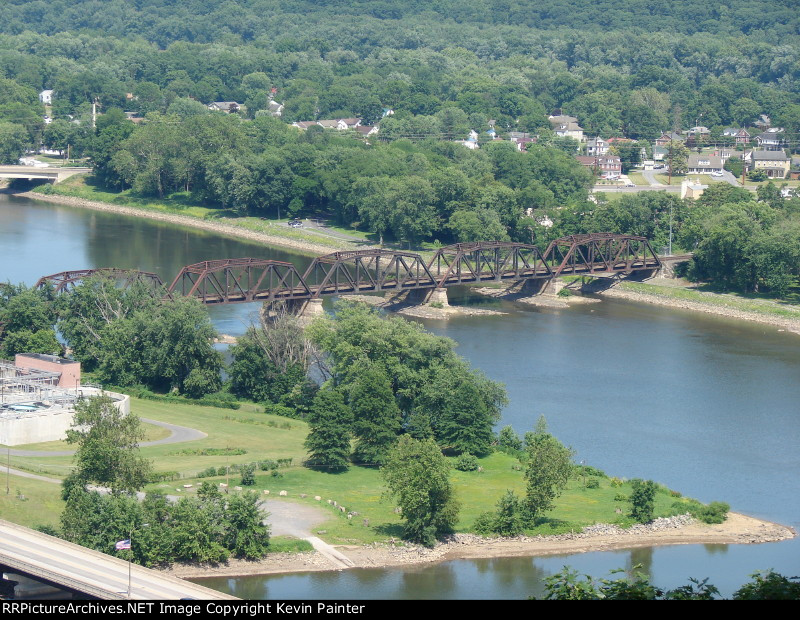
{"x":61,"y":563}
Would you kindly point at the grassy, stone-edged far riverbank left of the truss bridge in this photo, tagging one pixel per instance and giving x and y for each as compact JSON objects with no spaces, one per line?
{"x":222,"y":226}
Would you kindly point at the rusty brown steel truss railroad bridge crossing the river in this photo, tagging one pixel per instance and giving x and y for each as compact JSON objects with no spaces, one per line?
{"x":242,"y":280}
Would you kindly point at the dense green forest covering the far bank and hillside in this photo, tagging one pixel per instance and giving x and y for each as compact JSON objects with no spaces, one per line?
{"x":626,"y":68}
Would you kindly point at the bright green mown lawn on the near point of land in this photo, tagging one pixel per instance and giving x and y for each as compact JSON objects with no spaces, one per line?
{"x":359,"y":489}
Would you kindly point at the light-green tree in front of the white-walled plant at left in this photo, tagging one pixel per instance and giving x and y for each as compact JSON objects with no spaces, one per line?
{"x":108,"y":446}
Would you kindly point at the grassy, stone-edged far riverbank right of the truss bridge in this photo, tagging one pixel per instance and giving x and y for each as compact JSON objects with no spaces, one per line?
{"x":685,"y":296}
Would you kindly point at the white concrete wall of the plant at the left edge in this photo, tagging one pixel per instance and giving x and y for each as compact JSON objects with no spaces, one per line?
{"x":50,"y":425}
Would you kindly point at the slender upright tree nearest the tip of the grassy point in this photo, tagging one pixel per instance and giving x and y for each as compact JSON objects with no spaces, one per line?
{"x":548,"y":471}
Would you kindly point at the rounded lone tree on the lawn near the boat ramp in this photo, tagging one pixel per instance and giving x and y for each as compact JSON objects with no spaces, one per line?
{"x":416,"y":474}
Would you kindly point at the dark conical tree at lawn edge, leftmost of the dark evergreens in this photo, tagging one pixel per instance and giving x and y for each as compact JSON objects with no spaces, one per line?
{"x":328,"y":441}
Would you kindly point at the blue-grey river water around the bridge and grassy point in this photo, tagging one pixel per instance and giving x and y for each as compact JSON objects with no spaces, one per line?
{"x":702,"y":404}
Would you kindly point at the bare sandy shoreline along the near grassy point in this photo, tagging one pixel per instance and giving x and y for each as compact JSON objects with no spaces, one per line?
{"x":737,"y":529}
